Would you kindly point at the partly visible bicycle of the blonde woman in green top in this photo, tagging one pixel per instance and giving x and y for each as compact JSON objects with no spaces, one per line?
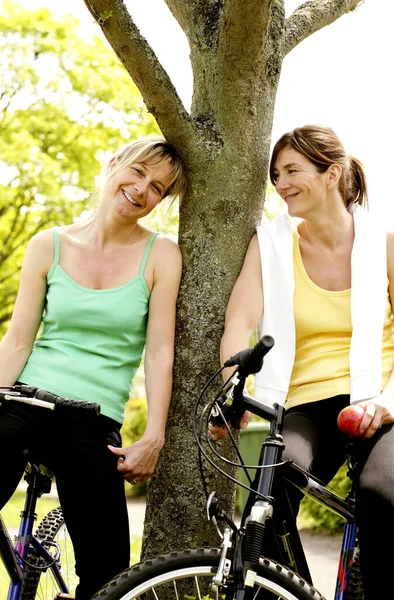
{"x":40,"y":566}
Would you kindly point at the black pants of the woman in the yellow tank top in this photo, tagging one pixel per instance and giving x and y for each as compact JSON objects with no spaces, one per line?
{"x":314,"y":442}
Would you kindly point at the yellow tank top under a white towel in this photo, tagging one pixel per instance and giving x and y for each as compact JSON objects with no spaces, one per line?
{"x":323,"y":333}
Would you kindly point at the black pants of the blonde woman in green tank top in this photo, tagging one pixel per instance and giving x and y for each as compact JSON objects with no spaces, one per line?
{"x":90,"y":488}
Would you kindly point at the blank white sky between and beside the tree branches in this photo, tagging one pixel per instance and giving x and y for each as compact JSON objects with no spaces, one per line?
{"x":341,"y":77}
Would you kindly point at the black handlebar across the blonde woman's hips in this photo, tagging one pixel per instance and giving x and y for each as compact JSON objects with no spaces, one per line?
{"x":30,"y":394}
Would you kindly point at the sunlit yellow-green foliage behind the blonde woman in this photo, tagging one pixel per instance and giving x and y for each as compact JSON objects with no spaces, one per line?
{"x":65,"y":105}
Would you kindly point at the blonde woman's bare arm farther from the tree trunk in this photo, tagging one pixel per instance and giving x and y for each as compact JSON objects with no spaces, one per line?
{"x":16,"y":345}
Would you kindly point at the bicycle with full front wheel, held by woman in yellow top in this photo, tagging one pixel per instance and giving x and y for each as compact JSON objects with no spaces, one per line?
{"x":239,"y":568}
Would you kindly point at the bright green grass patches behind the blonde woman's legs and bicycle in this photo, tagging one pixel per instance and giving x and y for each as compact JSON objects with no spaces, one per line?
{"x":11,"y":517}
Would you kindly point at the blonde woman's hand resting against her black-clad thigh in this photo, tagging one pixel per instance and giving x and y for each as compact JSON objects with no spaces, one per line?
{"x":137,"y":462}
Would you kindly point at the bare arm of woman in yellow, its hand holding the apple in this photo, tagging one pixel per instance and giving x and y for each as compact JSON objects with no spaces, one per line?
{"x":380,"y":411}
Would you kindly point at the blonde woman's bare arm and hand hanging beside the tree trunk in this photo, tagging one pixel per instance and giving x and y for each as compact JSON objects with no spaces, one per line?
{"x":141,"y":457}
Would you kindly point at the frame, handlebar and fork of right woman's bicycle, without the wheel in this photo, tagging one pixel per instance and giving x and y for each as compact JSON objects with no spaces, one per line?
{"x":269,"y":508}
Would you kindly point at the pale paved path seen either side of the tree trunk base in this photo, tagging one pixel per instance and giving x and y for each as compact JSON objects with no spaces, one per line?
{"x":322,"y":551}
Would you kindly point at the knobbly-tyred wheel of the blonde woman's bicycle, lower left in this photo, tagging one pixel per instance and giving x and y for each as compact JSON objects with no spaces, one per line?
{"x":38,"y":581}
